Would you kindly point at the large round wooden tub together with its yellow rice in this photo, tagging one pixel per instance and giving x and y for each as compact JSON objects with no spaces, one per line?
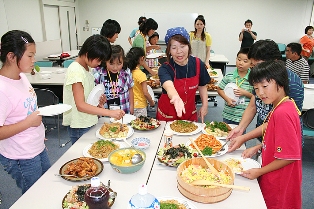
{"x":204,"y":194}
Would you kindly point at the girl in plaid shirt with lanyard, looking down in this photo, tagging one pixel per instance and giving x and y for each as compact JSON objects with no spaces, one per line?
{"x":117,"y":80}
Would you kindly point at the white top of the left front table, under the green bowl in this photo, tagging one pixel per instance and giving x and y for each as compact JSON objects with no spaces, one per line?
{"x":49,"y":190}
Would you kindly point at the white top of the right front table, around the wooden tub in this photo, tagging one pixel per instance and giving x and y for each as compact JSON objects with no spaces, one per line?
{"x":237,"y":199}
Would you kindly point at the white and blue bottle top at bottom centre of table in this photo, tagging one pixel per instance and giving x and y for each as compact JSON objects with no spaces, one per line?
{"x":143,"y":199}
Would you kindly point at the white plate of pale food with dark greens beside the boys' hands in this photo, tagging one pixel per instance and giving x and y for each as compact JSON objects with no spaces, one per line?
{"x":217,"y":129}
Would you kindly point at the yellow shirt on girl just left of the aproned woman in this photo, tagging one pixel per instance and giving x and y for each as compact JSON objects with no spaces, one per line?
{"x":139,"y":98}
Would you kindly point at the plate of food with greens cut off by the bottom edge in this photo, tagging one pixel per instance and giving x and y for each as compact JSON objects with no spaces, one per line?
{"x":175,"y":202}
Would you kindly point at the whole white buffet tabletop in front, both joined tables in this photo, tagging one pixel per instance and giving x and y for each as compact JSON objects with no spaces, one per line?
{"x":49,"y":190}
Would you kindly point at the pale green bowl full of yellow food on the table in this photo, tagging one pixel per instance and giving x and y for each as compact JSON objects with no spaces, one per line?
{"x":120,"y":160}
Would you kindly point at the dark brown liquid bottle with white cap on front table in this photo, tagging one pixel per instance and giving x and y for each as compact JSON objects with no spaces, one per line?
{"x":97,"y":196}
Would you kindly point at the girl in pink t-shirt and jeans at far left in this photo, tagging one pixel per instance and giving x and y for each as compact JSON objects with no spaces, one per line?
{"x":23,"y":153}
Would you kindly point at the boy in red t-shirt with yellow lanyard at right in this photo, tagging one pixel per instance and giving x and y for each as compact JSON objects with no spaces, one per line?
{"x":280,"y":177}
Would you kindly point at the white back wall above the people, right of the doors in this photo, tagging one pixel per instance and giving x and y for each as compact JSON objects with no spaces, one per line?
{"x":281,"y":20}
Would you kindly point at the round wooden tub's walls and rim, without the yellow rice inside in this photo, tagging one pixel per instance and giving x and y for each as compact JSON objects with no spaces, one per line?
{"x":210,"y":194}
